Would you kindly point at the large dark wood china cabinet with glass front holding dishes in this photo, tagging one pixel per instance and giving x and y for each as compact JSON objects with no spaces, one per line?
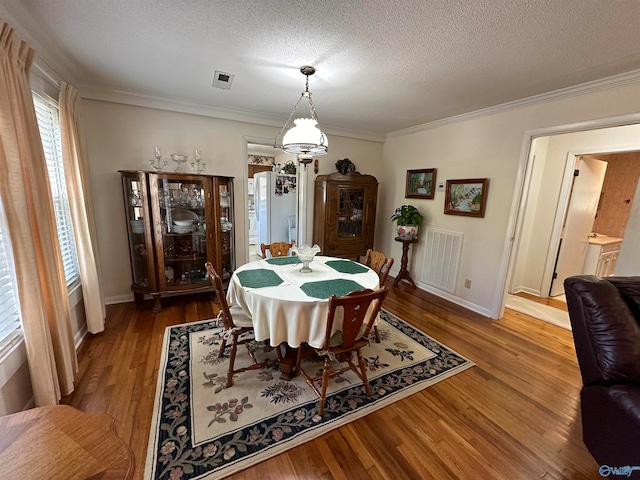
{"x":176,"y":222}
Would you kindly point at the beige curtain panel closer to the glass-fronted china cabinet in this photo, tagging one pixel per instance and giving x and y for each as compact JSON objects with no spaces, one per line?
{"x":76,"y":171}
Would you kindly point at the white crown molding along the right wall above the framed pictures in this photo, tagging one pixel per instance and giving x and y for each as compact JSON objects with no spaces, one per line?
{"x":574,"y":91}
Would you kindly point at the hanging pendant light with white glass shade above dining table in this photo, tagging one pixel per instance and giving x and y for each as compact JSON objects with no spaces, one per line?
{"x":305,"y":140}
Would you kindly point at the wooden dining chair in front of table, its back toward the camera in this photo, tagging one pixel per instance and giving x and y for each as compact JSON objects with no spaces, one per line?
{"x":356,"y":326}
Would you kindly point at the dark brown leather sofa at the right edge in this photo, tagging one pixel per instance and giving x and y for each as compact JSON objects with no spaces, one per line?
{"x":605,"y":315}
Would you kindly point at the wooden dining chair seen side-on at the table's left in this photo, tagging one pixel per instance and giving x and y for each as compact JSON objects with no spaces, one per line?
{"x":236,"y":323}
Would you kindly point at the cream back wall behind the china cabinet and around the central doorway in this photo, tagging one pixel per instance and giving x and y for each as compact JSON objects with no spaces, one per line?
{"x":122,"y":137}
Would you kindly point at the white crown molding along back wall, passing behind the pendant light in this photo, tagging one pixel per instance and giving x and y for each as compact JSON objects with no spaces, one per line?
{"x":182,"y":106}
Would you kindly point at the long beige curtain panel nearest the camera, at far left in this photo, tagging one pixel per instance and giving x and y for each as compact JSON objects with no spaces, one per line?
{"x":28,"y":205}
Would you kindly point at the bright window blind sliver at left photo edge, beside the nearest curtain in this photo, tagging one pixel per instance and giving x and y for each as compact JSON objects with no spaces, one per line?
{"x":9,"y":309}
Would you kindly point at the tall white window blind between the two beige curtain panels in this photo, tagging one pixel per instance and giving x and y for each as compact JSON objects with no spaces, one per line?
{"x":49,"y":125}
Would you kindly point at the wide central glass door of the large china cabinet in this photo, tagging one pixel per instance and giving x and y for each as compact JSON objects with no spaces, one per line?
{"x":180,"y":223}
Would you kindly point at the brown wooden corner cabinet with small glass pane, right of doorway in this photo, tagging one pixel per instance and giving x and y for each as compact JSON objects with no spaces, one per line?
{"x":345,"y":213}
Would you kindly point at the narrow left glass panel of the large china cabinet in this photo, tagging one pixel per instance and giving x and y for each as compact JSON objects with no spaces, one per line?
{"x":139,"y":232}
